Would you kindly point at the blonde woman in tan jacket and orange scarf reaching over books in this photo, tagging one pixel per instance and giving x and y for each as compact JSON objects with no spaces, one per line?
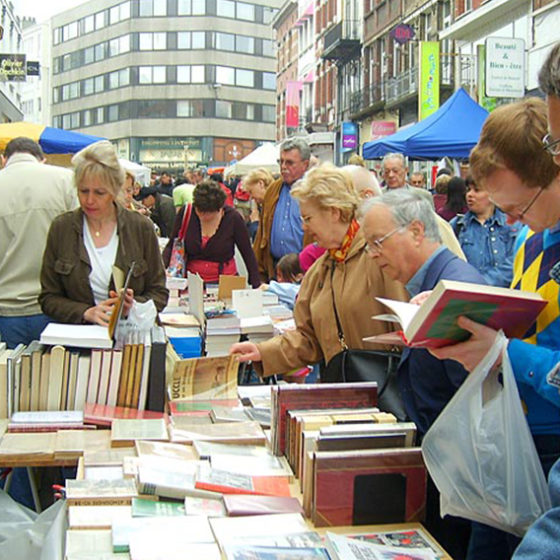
{"x":340,"y":286}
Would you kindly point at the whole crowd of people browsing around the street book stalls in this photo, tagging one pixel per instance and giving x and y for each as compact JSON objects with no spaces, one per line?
{"x":327,"y":240}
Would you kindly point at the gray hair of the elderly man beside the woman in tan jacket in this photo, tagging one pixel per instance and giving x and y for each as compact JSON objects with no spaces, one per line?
{"x":406,"y":206}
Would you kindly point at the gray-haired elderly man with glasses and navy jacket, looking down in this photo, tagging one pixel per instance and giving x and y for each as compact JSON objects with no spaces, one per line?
{"x":402,"y":235}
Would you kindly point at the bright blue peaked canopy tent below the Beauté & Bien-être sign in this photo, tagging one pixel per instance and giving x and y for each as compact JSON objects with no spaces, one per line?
{"x":451,"y":131}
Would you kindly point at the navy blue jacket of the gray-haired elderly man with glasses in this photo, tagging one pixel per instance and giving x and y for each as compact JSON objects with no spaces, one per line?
{"x":427,"y":384}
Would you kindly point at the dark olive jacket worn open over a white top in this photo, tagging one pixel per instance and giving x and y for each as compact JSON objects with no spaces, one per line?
{"x":65,"y":289}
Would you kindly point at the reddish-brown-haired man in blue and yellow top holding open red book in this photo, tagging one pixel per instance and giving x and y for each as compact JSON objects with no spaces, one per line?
{"x":517,"y":163}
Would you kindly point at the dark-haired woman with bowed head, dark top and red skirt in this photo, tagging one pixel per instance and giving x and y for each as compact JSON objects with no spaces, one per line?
{"x":212,"y":233}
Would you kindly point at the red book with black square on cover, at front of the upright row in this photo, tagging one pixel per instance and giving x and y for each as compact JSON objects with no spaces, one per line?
{"x":368,"y":487}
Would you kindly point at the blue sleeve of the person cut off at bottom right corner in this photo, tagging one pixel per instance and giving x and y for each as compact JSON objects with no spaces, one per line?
{"x":541,"y":541}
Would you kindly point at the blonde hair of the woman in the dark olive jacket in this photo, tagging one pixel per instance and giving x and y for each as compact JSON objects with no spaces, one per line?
{"x":99,"y":160}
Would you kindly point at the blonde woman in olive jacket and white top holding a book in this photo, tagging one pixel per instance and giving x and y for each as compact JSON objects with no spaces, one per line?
{"x":77,"y":283}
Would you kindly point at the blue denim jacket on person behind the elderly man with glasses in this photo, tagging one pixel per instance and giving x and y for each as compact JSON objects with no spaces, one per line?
{"x":489,"y":246}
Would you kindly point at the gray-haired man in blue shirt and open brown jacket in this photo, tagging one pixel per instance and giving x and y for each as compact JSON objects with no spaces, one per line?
{"x":280,"y":228}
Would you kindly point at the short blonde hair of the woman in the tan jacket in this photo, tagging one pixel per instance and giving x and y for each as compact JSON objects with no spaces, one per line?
{"x":328,"y":187}
